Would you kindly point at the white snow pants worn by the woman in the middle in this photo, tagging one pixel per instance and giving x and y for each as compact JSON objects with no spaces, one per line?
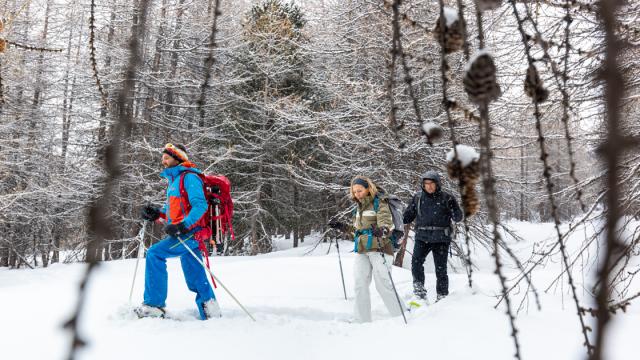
{"x":365,"y":265}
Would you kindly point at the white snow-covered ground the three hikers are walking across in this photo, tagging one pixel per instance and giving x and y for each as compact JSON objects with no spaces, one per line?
{"x":301,"y":313}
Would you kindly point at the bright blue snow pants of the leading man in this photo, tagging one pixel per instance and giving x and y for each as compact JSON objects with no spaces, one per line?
{"x":155,"y":277}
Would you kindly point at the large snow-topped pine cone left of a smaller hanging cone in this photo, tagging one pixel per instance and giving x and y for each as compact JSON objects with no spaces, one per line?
{"x":480,"y":80}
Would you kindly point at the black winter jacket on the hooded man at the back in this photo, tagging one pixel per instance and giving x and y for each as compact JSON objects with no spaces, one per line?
{"x":437,"y":210}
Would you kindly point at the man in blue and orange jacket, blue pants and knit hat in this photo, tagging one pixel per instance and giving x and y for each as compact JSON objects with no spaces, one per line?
{"x":182,"y":221}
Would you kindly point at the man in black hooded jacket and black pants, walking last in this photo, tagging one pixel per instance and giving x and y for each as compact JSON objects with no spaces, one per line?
{"x":433,"y":210}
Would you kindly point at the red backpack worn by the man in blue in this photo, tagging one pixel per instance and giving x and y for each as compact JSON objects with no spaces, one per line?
{"x":217,"y":191}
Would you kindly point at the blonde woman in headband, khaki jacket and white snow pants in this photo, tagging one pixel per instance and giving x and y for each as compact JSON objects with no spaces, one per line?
{"x":372,"y":225}
